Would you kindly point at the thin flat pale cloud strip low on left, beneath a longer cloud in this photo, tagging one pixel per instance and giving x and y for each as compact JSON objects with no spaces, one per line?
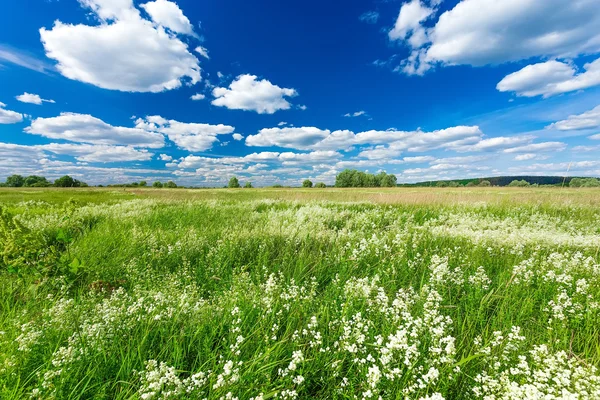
{"x":98,"y":153}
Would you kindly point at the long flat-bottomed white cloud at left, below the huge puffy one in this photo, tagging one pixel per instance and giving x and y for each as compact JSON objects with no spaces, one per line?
{"x":85,"y":128}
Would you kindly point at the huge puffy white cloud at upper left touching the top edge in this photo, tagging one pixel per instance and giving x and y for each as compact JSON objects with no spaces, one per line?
{"x":130,"y":53}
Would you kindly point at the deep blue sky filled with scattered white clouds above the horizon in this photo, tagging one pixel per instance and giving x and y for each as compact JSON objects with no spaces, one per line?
{"x":277,"y":91}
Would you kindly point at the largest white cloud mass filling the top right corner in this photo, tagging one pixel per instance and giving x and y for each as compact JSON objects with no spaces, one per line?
{"x":481,"y":32}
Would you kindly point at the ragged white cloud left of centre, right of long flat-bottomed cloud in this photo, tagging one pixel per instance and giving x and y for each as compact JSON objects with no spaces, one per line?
{"x":187,"y":136}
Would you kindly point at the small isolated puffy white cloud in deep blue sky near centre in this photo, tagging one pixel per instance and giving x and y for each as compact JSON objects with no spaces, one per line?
{"x":247,"y":93}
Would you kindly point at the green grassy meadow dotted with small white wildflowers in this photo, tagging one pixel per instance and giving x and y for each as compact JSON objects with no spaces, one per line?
{"x":331,"y":294}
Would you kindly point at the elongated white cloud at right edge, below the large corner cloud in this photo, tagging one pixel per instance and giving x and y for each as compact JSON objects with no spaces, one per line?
{"x":550,"y":78}
